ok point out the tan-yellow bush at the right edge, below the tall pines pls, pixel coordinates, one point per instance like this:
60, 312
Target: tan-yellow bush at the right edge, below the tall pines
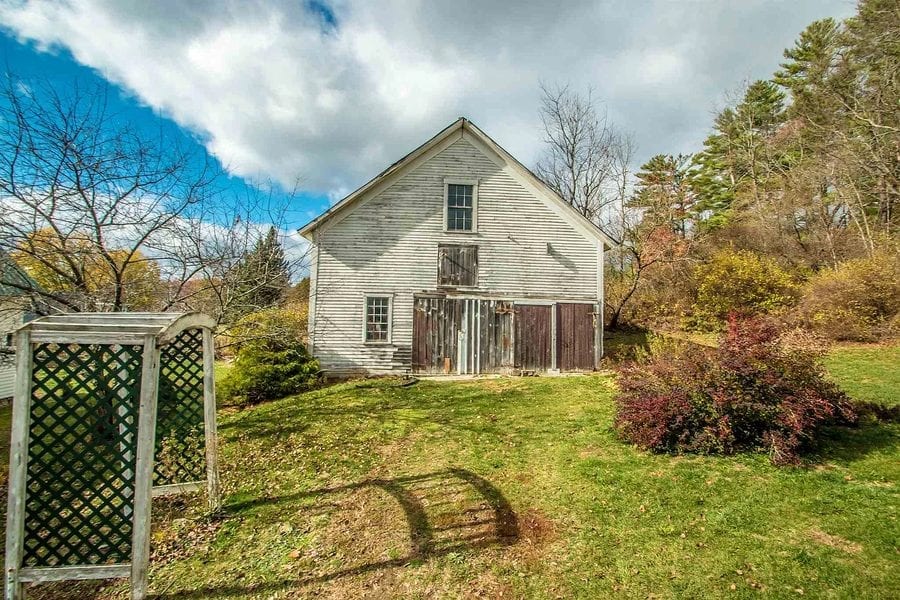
859, 300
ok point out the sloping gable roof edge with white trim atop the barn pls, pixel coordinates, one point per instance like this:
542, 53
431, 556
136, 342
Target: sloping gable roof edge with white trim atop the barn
459, 128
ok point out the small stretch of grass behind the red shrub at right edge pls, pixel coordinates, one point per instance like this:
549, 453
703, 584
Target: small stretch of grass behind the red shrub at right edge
870, 373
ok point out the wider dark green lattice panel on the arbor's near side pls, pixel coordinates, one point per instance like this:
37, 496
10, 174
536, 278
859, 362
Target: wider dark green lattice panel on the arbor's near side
80, 476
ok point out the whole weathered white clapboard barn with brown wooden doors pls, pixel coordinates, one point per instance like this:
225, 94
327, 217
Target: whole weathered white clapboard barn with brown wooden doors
455, 259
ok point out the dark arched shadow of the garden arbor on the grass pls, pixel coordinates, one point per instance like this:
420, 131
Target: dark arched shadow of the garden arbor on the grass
474, 515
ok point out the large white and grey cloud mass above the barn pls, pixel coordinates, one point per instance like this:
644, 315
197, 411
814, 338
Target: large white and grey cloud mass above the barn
331, 92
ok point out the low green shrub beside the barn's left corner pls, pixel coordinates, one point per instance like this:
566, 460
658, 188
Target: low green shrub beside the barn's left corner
271, 361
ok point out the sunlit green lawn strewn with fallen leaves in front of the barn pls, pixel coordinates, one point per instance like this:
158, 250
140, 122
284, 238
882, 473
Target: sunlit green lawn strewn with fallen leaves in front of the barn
518, 488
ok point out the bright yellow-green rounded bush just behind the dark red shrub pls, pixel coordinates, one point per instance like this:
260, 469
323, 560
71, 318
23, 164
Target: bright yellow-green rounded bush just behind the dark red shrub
742, 282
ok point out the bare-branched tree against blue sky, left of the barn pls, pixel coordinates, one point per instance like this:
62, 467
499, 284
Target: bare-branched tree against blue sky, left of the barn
97, 211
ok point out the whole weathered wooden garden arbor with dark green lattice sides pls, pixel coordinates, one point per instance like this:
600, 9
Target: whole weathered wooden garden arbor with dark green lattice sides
92, 392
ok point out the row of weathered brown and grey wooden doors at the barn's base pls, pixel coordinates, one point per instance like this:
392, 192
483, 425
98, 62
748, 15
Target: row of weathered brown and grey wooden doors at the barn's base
471, 335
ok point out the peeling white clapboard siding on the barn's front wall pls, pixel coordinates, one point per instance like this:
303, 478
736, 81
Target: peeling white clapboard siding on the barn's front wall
389, 245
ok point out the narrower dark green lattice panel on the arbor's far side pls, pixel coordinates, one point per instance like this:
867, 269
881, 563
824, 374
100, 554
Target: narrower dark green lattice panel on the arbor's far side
180, 456
